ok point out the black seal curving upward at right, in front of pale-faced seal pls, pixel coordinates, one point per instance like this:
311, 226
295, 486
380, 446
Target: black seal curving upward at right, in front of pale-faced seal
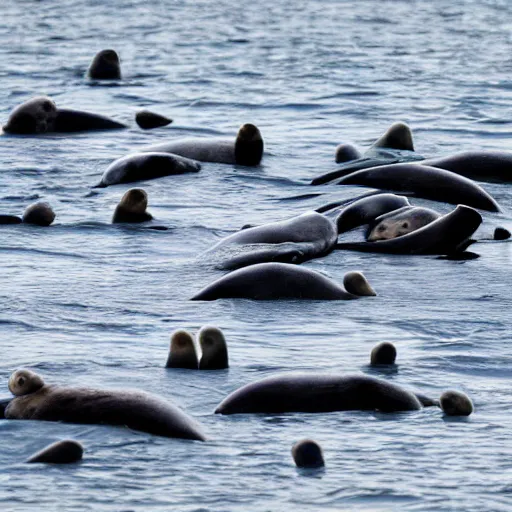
447, 235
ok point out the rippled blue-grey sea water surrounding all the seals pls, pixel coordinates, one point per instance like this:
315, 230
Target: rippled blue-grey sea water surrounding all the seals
90, 304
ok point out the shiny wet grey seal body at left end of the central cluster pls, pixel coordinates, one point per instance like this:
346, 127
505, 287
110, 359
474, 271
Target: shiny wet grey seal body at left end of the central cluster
294, 240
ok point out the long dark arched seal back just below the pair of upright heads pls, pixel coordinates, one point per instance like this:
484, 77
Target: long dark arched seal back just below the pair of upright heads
311, 392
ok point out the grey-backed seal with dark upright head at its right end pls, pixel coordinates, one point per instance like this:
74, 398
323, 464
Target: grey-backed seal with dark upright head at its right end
247, 149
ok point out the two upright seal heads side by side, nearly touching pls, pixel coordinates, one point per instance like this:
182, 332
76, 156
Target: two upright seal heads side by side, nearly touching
184, 350
